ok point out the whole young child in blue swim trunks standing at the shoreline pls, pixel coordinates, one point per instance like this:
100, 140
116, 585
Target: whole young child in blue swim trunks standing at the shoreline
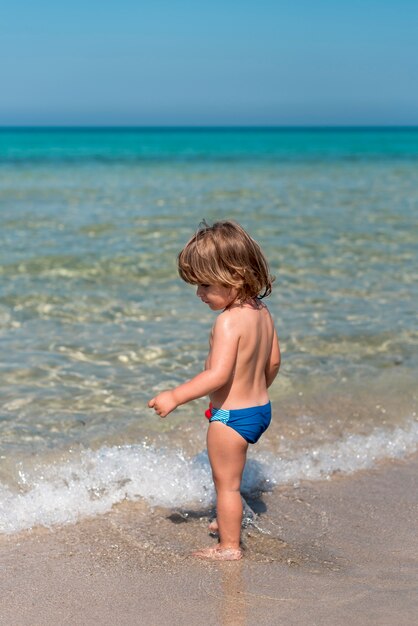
232, 276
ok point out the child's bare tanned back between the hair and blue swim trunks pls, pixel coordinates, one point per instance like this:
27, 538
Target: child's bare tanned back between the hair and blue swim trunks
256, 349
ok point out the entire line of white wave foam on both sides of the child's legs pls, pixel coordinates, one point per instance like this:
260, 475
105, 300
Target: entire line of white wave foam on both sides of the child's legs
91, 482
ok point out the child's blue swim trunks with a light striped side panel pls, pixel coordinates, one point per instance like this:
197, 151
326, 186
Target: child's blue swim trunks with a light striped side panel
249, 423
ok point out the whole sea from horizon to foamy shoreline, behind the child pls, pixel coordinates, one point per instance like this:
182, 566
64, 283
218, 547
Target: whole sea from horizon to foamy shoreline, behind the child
94, 319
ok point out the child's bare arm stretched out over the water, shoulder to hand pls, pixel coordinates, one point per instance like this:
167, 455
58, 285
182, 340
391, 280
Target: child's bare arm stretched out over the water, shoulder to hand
225, 340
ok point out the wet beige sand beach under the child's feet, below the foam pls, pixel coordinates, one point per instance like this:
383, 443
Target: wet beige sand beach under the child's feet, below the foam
339, 552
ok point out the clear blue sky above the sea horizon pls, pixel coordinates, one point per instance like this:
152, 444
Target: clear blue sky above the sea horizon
190, 63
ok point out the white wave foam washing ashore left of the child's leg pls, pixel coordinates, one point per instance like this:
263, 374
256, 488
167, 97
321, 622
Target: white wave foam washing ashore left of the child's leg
91, 483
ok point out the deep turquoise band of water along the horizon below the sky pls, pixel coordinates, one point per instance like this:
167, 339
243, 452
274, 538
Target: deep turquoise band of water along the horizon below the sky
233, 144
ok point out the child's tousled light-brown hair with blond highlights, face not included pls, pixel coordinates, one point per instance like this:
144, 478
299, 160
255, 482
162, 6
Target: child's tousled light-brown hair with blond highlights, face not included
224, 254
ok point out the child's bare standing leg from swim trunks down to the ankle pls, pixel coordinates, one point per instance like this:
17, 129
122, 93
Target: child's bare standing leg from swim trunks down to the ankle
227, 455
